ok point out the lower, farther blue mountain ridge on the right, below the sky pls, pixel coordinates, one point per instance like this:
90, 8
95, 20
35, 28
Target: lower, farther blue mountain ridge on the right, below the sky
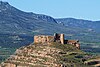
80, 23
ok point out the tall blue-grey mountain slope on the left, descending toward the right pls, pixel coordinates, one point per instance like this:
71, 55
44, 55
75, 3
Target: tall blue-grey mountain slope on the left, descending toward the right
14, 21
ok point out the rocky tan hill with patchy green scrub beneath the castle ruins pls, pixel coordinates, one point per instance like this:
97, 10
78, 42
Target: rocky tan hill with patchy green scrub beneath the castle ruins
55, 55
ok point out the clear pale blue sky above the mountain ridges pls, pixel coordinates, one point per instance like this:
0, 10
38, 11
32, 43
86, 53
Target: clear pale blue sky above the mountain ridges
80, 9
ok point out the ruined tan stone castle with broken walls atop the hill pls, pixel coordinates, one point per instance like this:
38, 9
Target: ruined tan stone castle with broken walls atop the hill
56, 38
